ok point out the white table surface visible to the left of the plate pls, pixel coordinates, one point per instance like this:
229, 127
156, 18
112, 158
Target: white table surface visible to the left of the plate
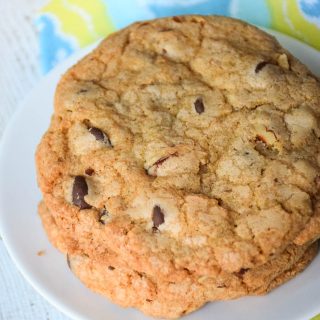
19, 73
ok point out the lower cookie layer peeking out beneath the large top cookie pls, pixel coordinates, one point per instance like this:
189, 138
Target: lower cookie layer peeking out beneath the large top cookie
159, 298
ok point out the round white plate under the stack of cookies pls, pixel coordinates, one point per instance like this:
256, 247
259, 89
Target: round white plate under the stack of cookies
24, 237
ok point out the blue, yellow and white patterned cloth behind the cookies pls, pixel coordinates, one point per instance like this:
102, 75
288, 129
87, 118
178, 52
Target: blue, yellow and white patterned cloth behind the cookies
66, 25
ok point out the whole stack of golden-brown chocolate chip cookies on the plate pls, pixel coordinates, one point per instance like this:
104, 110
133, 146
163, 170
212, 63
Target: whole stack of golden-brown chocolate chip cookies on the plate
181, 165
